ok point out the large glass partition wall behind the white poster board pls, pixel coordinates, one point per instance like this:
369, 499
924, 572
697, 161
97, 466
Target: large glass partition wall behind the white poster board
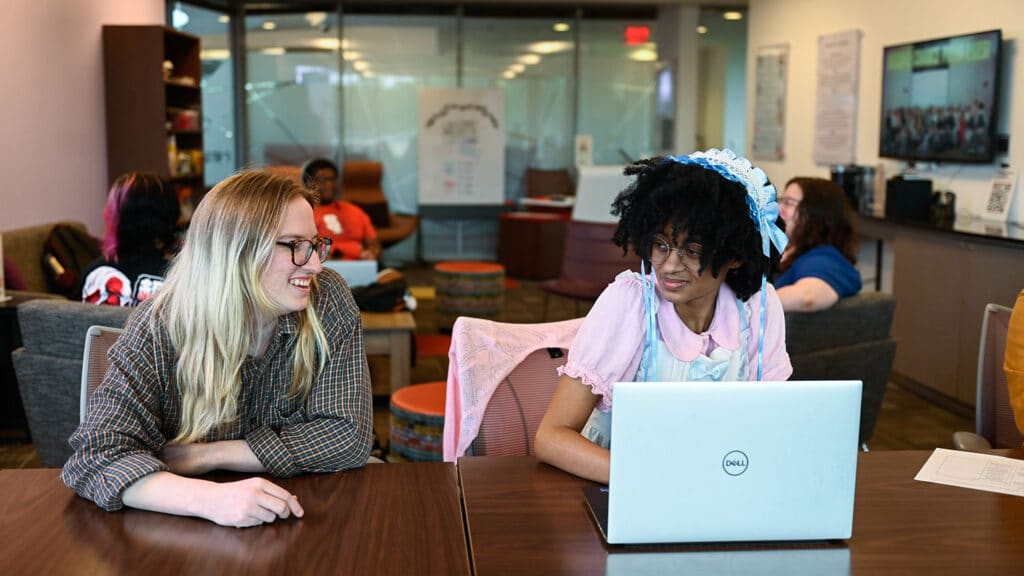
343, 83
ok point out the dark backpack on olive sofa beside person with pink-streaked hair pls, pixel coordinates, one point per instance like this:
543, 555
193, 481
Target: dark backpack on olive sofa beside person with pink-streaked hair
67, 253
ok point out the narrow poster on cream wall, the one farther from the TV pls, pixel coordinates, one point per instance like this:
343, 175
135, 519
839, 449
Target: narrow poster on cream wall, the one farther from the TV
770, 103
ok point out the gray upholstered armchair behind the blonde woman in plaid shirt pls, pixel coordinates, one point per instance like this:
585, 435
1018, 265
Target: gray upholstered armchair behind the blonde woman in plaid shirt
49, 367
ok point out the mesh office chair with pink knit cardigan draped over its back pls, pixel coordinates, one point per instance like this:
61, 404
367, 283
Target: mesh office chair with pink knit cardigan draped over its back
501, 379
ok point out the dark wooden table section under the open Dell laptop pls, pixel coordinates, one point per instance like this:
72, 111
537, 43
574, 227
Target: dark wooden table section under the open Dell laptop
528, 518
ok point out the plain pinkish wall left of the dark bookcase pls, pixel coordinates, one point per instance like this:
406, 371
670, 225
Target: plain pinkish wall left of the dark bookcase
52, 107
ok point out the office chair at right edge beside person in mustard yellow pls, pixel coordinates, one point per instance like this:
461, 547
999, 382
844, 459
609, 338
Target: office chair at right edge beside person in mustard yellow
995, 425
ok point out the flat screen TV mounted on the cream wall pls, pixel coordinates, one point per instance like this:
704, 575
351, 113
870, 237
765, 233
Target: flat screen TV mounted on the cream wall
940, 99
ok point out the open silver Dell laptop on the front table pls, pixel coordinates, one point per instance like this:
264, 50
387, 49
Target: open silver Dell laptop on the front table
731, 463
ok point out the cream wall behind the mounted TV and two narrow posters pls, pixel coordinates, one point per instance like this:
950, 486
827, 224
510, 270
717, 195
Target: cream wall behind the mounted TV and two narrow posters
799, 23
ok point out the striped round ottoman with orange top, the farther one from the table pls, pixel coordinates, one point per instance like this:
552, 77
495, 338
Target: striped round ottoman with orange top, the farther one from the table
468, 289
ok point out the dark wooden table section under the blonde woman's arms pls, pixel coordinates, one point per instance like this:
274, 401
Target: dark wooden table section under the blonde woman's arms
386, 519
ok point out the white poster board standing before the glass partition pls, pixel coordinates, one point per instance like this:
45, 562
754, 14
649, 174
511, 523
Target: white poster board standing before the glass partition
462, 147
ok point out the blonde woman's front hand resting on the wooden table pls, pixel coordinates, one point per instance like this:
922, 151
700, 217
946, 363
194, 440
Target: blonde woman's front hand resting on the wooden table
247, 503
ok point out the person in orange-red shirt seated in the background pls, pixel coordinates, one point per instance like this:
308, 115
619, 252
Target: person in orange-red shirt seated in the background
346, 224
